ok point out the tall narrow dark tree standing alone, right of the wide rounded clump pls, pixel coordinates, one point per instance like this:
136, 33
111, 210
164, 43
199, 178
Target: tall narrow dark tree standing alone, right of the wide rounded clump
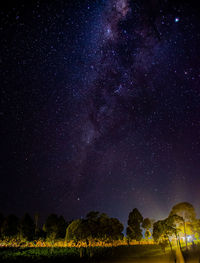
134, 221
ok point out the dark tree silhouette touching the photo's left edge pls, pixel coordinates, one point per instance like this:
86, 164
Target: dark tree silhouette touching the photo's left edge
10, 226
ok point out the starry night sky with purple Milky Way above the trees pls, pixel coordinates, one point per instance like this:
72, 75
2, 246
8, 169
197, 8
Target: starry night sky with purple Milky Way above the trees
100, 106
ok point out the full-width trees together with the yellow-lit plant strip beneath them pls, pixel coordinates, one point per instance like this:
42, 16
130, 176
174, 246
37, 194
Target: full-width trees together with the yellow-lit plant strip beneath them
98, 233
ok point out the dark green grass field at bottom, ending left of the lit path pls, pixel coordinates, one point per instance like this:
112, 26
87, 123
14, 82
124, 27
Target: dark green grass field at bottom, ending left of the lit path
138, 253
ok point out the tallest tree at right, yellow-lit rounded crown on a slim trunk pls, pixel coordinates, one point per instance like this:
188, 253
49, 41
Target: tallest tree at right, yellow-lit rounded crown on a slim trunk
187, 212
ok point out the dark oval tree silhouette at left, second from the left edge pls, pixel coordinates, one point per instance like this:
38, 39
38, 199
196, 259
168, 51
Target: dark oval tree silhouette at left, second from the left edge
26, 227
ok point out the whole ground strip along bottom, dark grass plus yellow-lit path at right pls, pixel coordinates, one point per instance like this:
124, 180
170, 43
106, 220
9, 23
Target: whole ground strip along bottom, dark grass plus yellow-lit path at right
125, 254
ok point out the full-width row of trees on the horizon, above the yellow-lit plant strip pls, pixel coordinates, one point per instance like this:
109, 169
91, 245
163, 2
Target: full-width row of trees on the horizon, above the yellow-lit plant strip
180, 226
